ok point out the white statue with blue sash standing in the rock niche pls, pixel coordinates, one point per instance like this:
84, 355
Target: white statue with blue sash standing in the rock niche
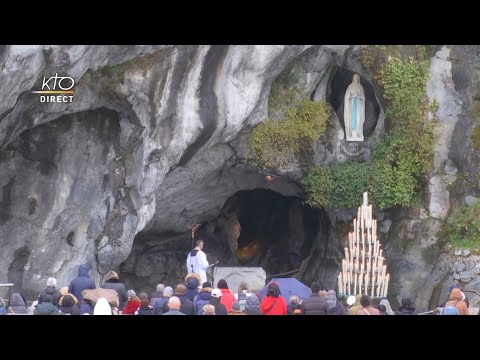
354, 110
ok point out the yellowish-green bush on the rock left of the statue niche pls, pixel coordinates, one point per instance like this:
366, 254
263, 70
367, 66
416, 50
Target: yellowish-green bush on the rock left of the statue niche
275, 143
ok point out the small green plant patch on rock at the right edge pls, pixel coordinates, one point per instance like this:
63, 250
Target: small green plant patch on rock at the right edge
464, 229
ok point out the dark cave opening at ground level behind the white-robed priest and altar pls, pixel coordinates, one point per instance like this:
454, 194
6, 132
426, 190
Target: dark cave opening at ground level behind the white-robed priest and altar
254, 228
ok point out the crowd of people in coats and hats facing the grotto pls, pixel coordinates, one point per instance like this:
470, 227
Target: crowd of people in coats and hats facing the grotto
191, 297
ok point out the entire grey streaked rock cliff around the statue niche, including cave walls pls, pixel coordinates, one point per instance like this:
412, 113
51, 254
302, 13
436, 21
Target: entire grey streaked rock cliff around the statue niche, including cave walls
155, 141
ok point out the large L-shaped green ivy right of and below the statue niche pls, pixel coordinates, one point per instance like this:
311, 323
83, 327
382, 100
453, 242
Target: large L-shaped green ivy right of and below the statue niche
402, 157
